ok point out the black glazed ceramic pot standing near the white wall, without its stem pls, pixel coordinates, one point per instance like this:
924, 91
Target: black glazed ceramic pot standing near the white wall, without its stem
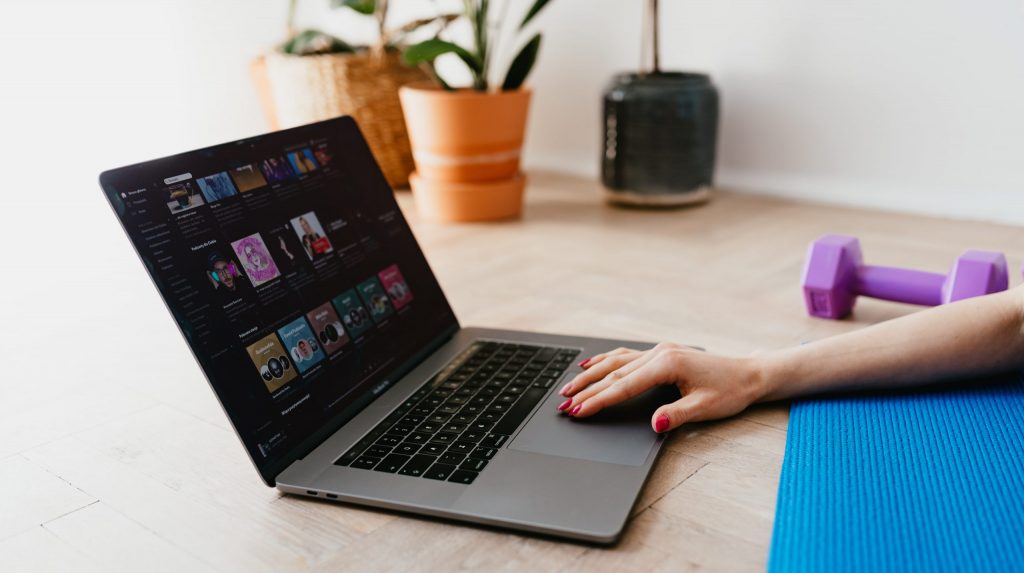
660, 136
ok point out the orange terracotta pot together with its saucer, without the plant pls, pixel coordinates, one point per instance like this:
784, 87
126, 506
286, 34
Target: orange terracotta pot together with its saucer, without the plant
466, 146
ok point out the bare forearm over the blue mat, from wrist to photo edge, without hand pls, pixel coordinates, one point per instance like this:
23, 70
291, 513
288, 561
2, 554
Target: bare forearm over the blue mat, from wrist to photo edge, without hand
969, 338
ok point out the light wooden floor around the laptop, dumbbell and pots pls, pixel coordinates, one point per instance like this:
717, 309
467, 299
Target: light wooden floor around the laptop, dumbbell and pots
115, 456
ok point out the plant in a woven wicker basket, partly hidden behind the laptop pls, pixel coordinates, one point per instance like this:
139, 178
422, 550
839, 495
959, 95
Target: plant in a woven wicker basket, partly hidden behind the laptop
314, 76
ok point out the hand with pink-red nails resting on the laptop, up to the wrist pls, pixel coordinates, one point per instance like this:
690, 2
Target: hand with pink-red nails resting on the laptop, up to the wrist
712, 386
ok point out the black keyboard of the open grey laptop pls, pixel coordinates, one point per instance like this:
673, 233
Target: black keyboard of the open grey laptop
455, 423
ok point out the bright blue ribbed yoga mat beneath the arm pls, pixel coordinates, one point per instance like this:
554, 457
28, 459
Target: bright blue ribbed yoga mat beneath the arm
930, 480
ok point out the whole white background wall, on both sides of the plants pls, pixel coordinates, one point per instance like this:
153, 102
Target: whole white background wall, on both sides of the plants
912, 105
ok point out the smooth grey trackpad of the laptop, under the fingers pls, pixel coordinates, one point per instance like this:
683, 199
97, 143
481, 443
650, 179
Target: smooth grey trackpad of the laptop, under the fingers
621, 434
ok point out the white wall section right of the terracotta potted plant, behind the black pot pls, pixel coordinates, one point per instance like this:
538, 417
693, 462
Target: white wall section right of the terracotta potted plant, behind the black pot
907, 105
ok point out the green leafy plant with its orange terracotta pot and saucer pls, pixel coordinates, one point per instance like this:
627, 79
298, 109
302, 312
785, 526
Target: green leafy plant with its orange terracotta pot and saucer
467, 142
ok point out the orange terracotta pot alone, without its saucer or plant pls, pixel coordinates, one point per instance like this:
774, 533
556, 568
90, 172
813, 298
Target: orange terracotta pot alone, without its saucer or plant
465, 136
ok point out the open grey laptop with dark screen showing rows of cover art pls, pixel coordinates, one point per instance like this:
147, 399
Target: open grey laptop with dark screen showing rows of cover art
310, 306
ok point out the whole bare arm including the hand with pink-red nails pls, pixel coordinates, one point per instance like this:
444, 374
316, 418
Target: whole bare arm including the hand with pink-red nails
969, 338
